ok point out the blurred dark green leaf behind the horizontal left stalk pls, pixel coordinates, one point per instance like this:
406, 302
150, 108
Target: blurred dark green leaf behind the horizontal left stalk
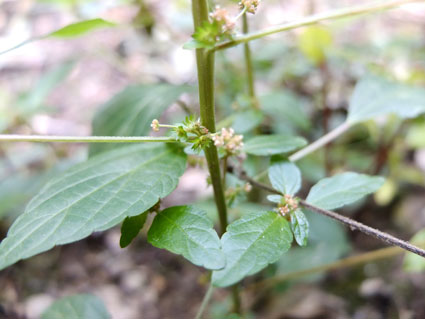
130, 112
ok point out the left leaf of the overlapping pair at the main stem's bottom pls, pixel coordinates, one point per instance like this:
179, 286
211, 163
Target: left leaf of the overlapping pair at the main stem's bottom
187, 231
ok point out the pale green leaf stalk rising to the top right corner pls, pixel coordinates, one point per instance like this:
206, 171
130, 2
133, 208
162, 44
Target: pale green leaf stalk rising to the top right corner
335, 14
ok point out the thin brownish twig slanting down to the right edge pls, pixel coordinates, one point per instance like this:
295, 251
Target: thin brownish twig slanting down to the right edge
354, 225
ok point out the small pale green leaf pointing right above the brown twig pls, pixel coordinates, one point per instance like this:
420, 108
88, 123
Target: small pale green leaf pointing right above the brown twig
343, 189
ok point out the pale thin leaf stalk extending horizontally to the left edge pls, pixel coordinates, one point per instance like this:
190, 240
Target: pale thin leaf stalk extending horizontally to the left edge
85, 139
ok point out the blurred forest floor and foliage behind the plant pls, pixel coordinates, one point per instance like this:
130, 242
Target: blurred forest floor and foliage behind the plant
304, 79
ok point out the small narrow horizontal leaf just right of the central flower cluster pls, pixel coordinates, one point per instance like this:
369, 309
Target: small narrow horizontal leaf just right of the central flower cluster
267, 145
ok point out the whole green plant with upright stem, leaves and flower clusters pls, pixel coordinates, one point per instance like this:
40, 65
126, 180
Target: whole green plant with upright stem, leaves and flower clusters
125, 184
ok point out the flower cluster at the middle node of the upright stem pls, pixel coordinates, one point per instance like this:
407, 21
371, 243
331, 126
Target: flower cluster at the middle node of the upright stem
191, 131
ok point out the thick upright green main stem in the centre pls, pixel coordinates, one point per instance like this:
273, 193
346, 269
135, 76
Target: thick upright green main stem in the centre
205, 64
